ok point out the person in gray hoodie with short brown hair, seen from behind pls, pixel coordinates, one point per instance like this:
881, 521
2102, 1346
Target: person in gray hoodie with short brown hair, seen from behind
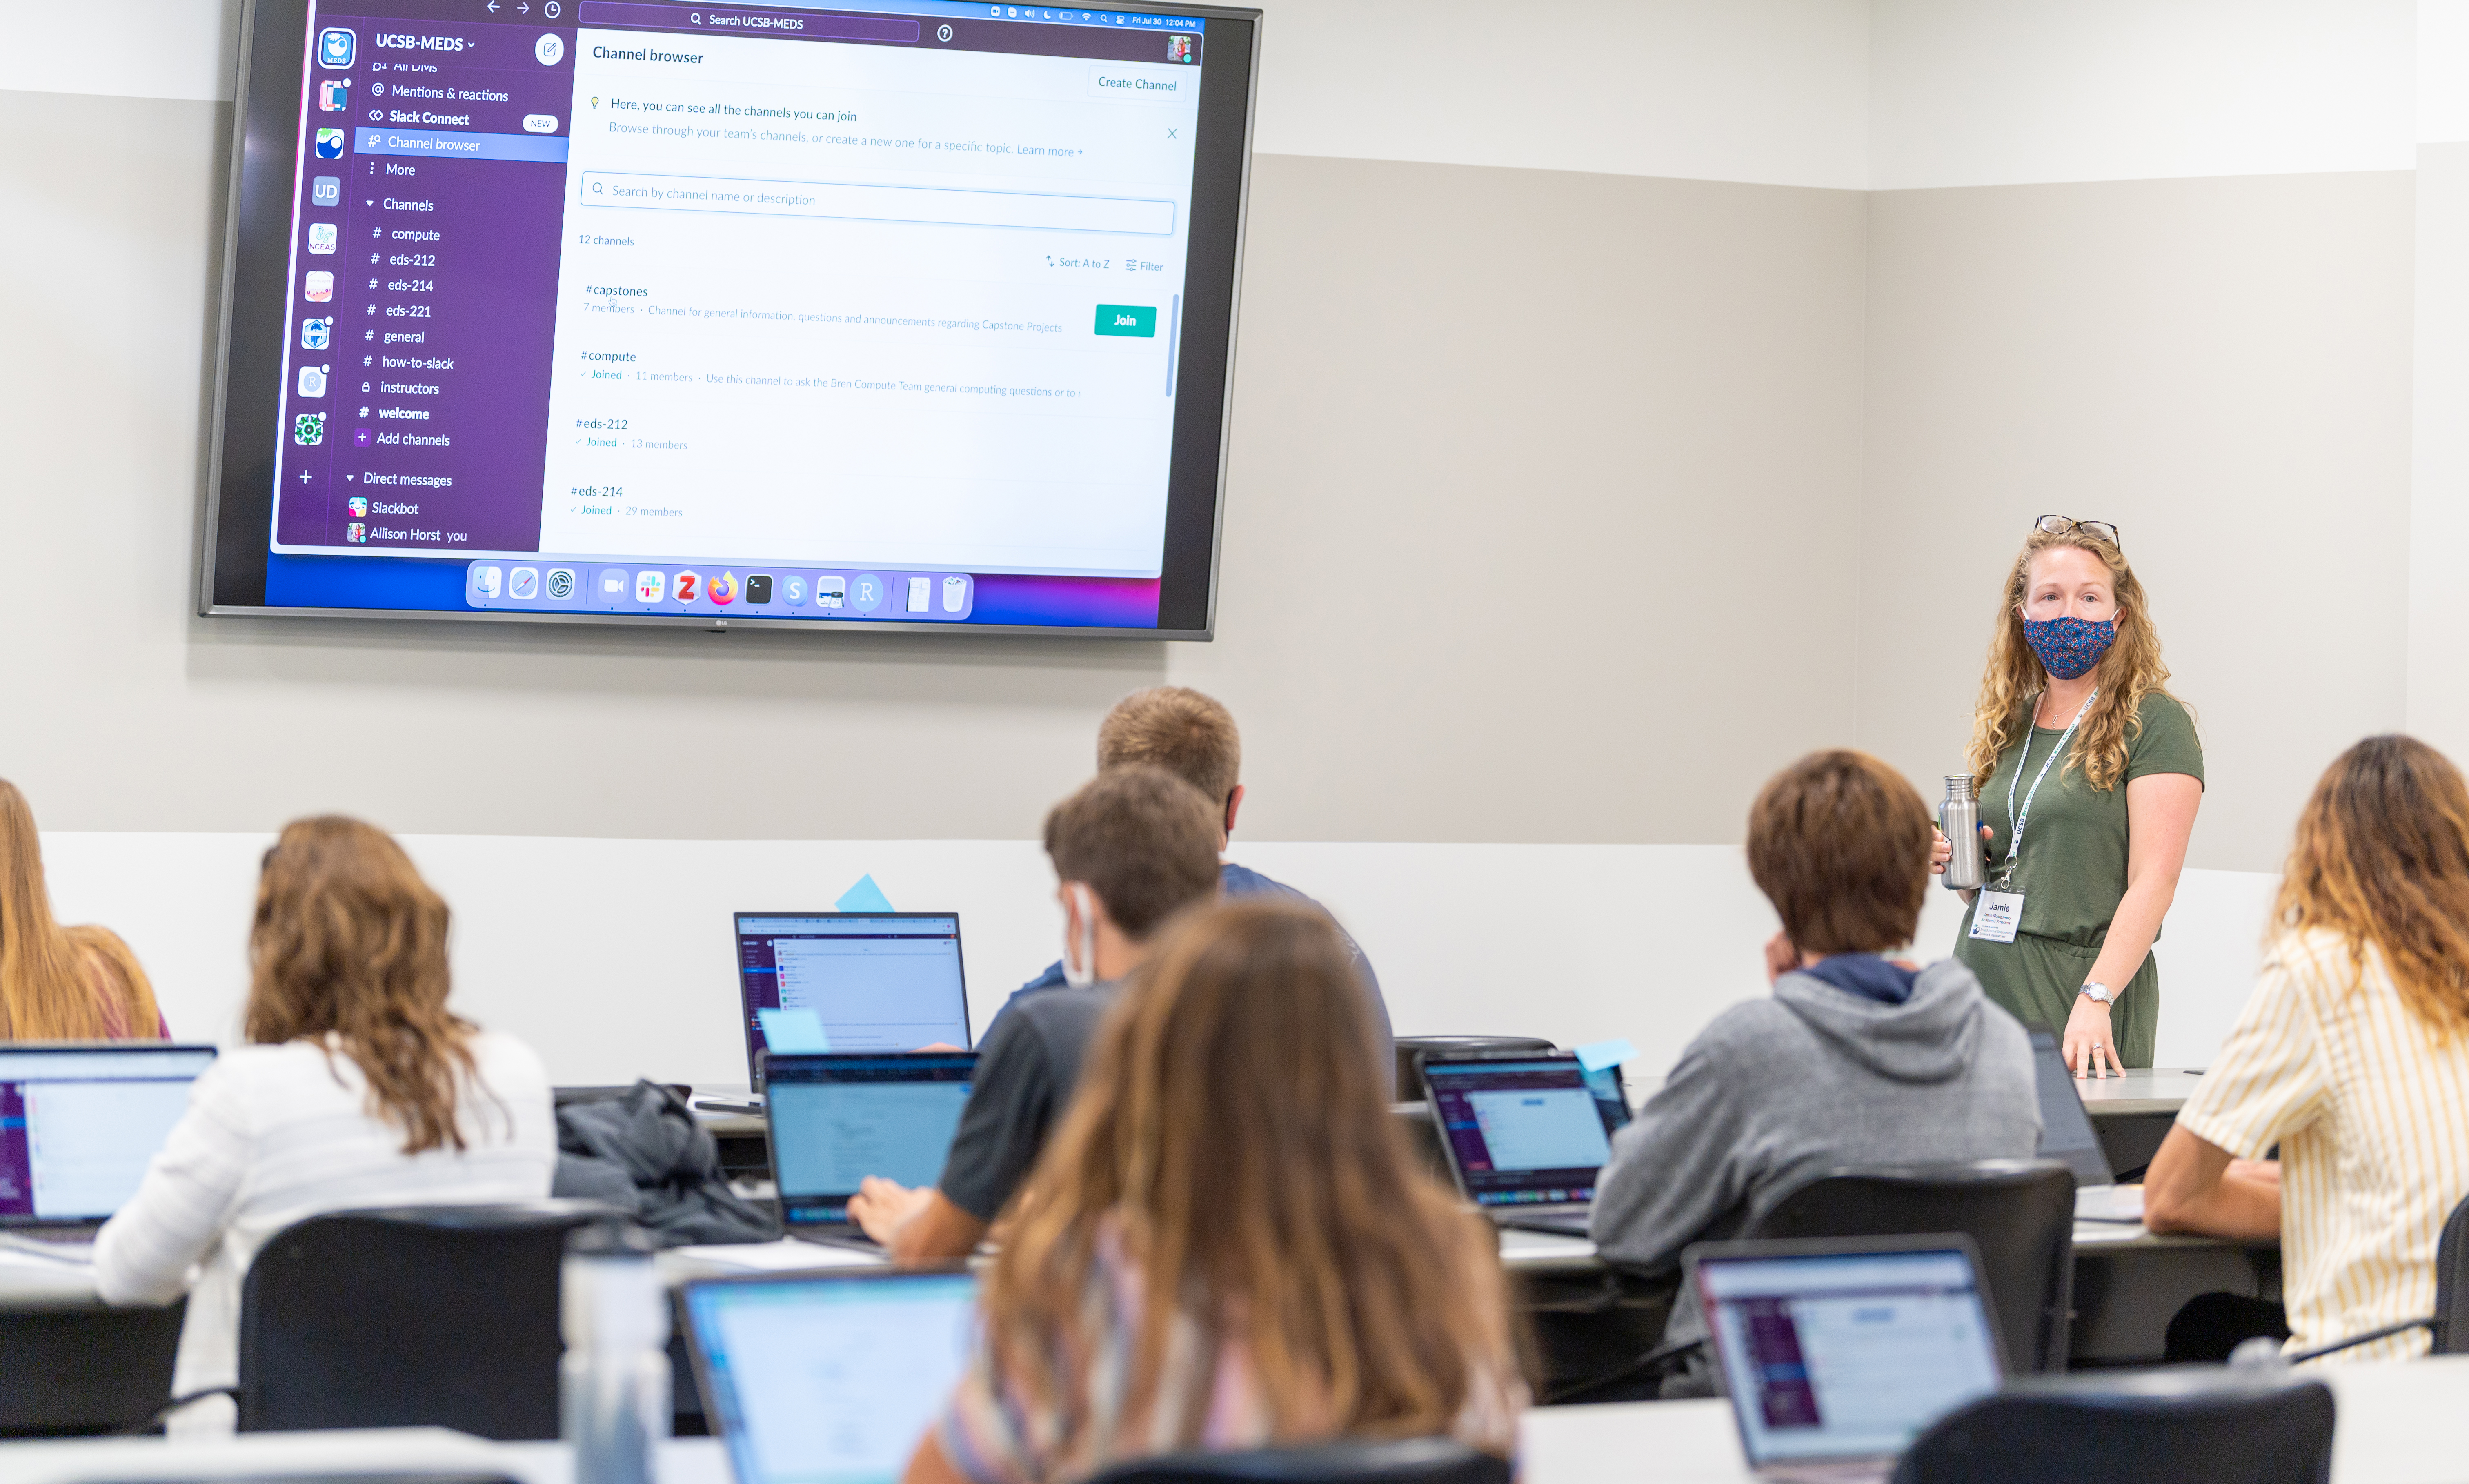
1855, 1061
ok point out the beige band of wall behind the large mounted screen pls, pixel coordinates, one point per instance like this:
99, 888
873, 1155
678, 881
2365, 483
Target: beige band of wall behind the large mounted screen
1475, 414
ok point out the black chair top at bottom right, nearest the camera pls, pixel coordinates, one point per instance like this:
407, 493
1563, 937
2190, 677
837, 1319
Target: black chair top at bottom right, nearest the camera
2189, 1426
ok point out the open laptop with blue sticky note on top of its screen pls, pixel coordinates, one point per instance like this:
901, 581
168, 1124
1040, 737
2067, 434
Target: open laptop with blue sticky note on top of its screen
878, 982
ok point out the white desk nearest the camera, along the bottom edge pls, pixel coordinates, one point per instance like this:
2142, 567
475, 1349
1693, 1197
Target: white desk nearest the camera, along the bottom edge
2396, 1426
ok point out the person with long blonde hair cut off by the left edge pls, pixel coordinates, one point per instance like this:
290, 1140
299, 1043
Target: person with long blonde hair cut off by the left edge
60, 984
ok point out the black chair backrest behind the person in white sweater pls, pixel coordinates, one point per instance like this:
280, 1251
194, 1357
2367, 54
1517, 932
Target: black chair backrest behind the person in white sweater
411, 1317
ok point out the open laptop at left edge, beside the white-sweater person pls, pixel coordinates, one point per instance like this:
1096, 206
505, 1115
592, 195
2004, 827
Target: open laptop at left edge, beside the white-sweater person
80, 1125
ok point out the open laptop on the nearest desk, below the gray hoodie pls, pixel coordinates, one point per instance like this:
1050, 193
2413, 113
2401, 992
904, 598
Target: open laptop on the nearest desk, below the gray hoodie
1838, 1352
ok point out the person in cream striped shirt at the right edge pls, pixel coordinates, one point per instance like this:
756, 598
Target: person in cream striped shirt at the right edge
2352, 1056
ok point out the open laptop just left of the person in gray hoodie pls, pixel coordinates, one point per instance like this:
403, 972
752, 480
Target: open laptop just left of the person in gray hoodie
1527, 1135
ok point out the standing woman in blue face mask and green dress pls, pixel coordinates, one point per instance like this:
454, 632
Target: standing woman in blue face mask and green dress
2090, 777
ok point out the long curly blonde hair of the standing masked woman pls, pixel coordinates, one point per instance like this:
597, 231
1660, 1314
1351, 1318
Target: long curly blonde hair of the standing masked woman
2016, 678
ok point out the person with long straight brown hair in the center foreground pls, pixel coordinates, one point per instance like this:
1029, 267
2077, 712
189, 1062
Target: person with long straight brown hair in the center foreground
1231, 1152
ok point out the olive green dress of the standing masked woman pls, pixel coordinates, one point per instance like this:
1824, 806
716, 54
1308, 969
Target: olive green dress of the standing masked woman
2073, 875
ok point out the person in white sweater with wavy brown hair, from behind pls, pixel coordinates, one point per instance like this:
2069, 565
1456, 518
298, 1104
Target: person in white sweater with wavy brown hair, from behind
359, 1088
